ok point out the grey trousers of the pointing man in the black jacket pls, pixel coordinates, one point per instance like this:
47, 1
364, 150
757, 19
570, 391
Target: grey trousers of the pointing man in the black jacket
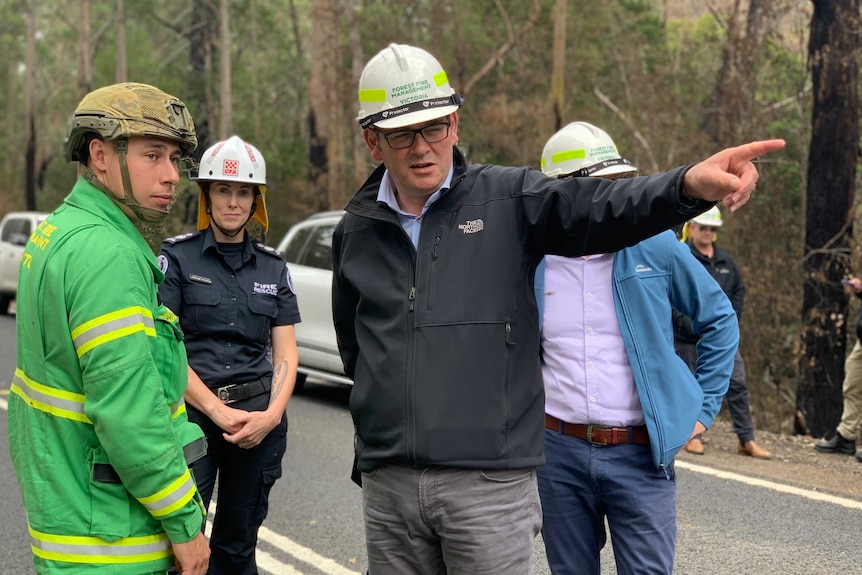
445, 521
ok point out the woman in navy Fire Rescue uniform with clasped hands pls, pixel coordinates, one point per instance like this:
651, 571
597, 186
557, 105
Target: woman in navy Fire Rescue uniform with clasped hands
235, 302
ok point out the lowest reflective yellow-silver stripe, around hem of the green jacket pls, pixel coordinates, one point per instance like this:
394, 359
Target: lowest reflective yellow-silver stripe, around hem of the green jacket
77, 549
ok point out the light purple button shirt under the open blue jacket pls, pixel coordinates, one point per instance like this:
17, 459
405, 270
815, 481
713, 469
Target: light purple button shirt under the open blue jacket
588, 377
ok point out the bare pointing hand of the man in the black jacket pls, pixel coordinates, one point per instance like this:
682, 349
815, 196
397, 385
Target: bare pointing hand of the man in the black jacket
728, 176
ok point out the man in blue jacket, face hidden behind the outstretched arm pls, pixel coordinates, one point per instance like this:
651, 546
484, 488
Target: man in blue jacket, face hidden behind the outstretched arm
619, 403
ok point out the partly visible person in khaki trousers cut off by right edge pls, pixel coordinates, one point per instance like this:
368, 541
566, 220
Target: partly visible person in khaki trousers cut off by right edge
844, 440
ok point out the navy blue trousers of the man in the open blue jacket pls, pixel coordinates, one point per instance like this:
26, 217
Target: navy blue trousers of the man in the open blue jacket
581, 485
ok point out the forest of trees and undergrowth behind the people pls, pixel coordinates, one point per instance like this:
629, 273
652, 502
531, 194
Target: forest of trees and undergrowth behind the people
672, 81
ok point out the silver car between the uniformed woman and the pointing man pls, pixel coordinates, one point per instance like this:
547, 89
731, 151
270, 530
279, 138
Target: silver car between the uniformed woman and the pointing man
307, 246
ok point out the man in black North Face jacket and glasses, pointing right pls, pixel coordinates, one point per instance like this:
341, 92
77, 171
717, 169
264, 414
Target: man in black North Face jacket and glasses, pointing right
437, 323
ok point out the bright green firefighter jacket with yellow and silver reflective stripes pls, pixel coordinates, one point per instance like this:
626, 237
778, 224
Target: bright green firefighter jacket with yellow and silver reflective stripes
97, 424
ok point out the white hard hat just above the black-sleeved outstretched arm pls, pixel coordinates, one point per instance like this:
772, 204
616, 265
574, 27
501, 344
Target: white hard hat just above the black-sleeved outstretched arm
581, 149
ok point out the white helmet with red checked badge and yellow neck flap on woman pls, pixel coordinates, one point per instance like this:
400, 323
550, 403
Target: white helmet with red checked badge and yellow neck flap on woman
233, 160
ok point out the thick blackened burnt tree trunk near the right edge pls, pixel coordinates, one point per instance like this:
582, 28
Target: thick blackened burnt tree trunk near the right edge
832, 158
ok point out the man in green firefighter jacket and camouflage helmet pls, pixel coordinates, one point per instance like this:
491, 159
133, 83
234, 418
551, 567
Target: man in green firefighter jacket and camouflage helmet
98, 431
